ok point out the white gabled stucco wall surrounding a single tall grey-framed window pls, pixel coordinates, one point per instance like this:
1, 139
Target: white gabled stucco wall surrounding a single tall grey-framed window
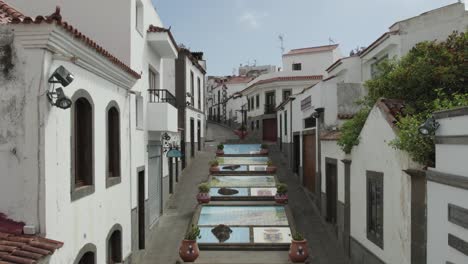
374, 154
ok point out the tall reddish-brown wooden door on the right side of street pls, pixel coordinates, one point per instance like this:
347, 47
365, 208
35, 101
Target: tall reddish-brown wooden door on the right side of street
309, 153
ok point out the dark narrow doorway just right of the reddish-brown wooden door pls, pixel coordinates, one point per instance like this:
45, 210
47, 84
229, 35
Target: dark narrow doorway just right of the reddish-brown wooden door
331, 182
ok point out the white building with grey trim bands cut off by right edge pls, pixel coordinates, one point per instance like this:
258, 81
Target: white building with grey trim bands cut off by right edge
447, 190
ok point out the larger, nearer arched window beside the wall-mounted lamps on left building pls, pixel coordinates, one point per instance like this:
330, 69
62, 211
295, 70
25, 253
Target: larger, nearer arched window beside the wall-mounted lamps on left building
82, 145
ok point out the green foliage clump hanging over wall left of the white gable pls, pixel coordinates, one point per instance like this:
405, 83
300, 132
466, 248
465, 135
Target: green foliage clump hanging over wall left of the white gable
351, 130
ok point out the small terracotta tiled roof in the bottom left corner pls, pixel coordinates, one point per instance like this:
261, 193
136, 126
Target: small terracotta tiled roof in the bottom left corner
16, 247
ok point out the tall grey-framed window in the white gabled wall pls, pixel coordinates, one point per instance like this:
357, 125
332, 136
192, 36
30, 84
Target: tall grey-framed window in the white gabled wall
375, 207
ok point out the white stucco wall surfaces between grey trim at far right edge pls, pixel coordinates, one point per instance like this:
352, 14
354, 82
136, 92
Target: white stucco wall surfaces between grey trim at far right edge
450, 158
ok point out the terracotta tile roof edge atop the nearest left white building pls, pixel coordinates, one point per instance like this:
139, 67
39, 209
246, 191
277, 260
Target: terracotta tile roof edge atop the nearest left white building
10, 15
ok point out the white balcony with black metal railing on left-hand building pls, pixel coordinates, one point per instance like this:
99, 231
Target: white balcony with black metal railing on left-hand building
162, 111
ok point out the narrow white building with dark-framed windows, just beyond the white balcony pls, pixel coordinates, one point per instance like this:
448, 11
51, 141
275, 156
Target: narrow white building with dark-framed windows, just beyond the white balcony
190, 93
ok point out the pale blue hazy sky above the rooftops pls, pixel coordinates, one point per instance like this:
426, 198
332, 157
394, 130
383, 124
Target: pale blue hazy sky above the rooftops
234, 32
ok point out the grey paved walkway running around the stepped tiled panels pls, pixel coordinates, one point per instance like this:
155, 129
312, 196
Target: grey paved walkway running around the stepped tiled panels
165, 238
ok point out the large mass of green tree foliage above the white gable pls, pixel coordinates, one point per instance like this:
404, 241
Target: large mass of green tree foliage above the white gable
432, 76
